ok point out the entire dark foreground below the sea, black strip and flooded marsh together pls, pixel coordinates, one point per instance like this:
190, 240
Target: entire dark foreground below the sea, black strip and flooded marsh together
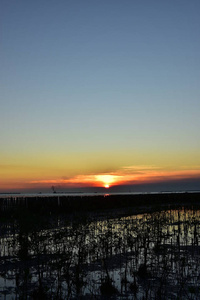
114, 247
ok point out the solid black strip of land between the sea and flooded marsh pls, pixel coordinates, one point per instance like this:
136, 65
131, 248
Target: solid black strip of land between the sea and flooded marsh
106, 203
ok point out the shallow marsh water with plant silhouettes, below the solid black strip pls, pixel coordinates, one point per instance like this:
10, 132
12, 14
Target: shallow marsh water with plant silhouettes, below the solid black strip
151, 256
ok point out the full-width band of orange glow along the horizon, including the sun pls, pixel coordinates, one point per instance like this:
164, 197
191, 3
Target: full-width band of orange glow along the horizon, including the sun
131, 175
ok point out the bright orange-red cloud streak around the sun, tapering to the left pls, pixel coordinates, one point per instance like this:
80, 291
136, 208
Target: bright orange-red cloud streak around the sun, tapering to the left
127, 175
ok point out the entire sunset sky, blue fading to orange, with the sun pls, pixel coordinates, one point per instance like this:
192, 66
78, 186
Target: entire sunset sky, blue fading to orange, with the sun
99, 93
